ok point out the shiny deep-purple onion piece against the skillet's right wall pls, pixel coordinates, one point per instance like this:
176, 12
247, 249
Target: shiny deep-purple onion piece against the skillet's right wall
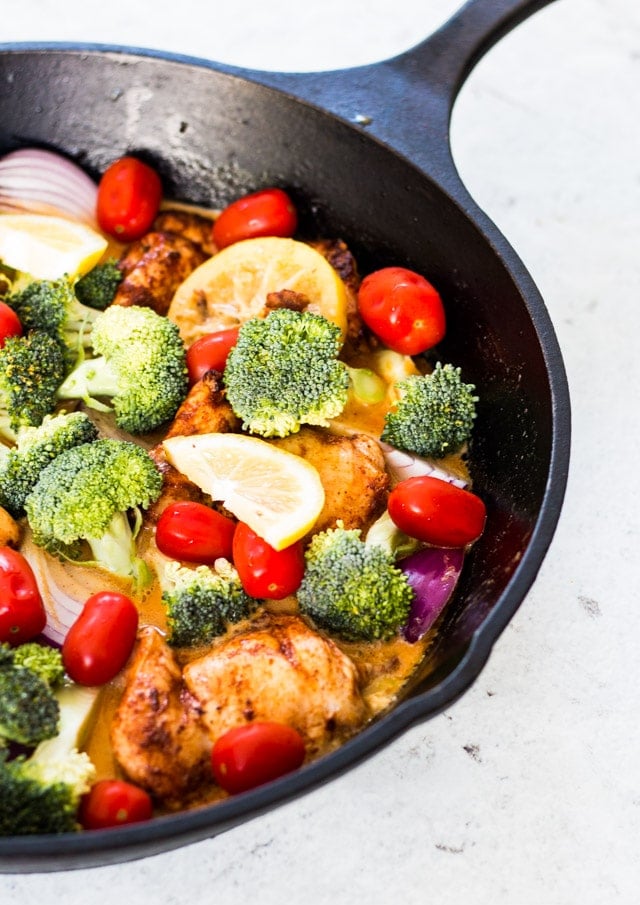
433, 574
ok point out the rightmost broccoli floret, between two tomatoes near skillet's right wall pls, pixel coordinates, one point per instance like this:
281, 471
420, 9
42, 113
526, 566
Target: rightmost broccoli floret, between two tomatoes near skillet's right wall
434, 414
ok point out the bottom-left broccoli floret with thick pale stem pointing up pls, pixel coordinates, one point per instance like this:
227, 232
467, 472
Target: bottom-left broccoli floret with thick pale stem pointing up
41, 793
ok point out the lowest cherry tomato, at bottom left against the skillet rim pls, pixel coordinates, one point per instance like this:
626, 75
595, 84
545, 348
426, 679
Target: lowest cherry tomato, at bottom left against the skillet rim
113, 802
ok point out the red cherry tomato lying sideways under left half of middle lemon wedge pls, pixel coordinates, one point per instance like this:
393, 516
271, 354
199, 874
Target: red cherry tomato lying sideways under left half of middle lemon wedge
193, 532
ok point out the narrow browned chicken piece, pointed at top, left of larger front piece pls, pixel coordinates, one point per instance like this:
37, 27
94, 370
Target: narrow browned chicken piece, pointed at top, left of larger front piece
157, 733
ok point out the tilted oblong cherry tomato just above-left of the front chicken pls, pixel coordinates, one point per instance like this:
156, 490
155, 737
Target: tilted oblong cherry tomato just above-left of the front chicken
99, 642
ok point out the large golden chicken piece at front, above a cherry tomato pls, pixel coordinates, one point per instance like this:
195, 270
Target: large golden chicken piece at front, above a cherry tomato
283, 671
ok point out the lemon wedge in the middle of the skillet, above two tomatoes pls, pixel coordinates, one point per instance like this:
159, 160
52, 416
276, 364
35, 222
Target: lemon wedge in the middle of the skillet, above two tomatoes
278, 494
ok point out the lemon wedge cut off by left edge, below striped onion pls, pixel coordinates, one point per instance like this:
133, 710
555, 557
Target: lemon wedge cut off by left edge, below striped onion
47, 247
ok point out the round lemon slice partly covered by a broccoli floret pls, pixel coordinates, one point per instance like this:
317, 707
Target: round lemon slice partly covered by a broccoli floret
233, 285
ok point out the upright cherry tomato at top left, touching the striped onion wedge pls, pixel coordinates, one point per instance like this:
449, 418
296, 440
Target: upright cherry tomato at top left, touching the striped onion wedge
129, 196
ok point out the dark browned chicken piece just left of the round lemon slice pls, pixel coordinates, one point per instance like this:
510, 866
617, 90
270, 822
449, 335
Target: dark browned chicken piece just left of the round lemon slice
153, 268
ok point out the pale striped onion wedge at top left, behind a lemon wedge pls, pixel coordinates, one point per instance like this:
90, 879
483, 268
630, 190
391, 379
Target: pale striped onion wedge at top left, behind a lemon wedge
33, 180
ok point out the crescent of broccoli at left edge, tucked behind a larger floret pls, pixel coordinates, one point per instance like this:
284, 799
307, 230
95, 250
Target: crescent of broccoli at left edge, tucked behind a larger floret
35, 448
